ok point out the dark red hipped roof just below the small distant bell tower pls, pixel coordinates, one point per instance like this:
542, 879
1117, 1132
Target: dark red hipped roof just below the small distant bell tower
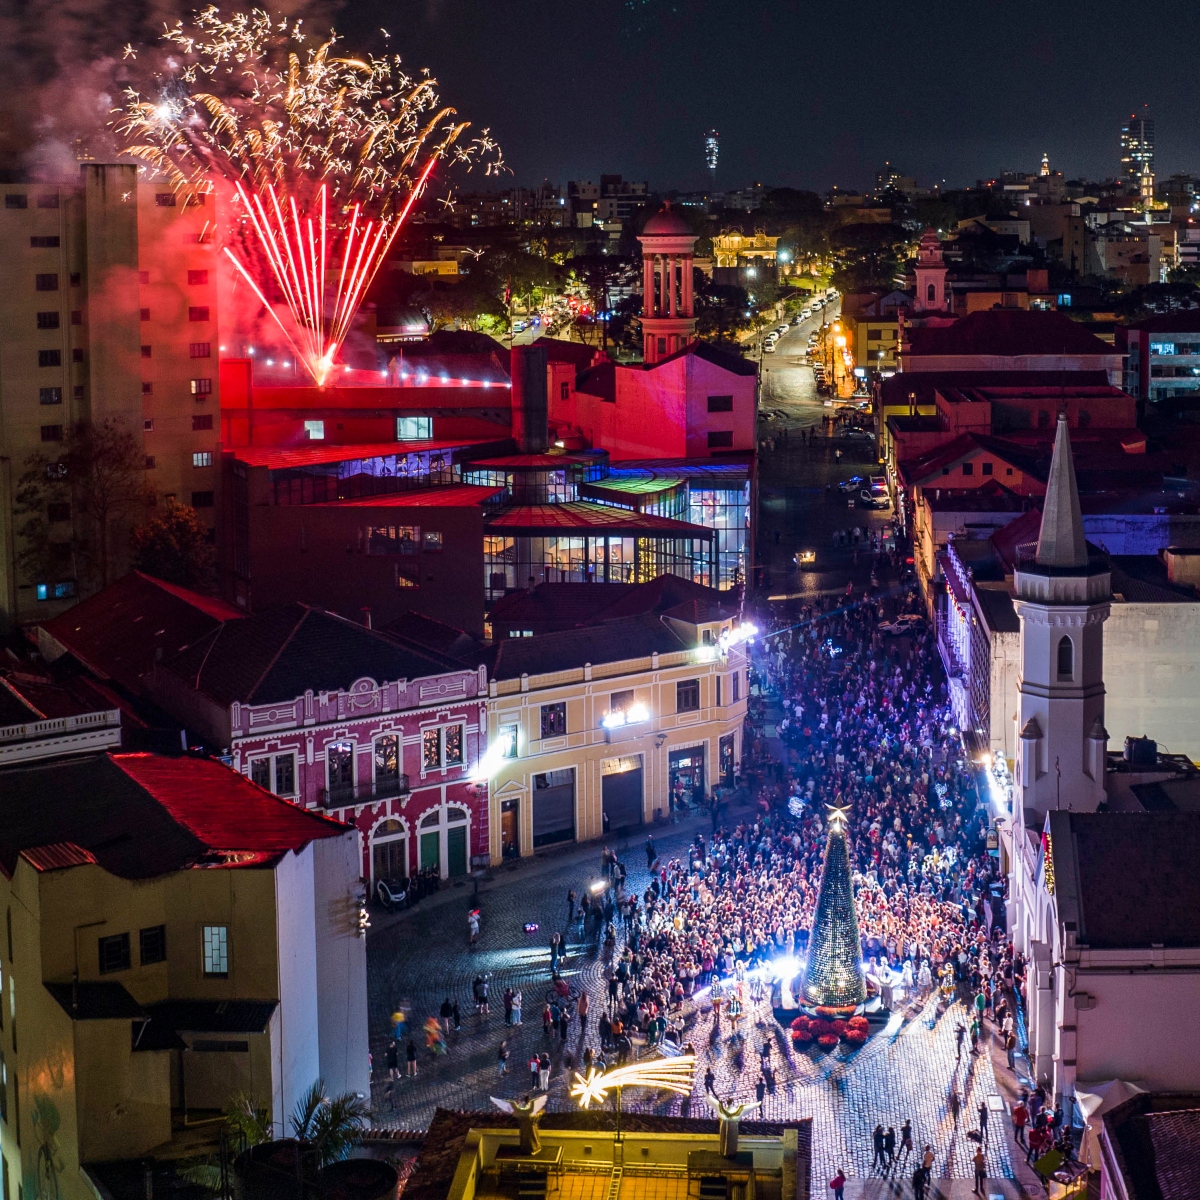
1007, 333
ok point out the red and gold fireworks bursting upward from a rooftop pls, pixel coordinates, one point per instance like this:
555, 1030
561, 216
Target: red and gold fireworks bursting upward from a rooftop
326, 155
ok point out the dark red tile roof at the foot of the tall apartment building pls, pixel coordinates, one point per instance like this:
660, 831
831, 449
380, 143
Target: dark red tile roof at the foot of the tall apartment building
121, 633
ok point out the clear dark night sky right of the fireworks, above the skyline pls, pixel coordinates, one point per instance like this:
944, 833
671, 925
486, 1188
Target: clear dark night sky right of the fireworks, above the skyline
805, 95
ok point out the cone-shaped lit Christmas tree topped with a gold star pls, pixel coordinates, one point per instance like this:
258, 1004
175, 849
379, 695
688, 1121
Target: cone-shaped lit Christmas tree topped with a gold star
833, 977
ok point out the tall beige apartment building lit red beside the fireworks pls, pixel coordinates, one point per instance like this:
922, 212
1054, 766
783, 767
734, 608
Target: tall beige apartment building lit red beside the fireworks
109, 305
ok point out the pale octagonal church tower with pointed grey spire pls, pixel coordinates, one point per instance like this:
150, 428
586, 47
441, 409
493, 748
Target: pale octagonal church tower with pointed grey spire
1063, 602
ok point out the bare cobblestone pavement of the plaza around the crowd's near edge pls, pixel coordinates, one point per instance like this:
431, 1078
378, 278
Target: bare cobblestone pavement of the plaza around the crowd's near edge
417, 961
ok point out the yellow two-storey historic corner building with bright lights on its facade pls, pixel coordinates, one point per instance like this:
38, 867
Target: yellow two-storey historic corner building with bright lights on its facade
611, 727
